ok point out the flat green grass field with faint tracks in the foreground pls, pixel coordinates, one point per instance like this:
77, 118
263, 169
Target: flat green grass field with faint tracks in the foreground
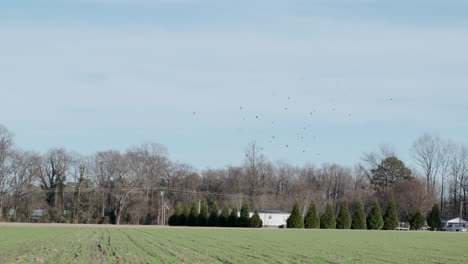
186, 245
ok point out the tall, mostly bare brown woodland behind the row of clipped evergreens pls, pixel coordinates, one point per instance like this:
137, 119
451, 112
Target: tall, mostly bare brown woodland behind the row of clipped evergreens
142, 185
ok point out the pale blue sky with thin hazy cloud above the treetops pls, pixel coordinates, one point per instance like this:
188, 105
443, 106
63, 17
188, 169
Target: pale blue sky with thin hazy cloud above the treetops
309, 81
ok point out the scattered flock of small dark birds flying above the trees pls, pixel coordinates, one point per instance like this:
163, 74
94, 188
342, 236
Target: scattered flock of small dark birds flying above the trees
303, 134
